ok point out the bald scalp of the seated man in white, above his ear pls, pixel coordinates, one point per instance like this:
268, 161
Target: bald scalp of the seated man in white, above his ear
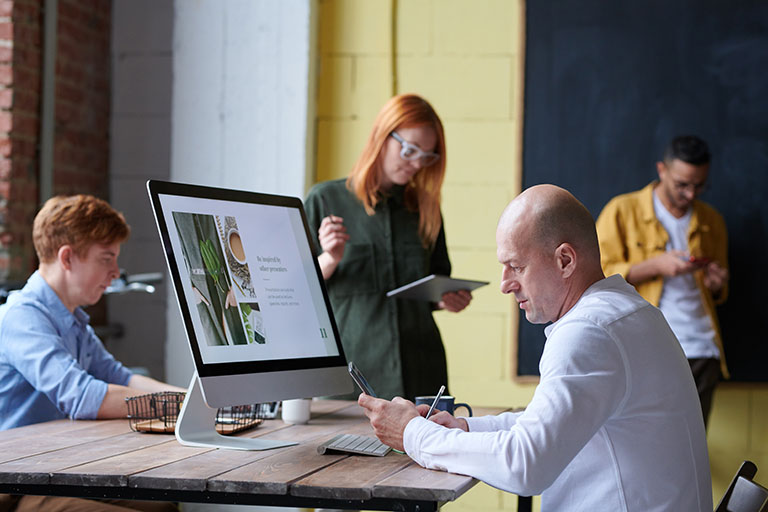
549, 216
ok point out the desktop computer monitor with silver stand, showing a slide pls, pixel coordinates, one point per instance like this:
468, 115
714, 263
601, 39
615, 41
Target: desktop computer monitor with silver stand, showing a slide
253, 301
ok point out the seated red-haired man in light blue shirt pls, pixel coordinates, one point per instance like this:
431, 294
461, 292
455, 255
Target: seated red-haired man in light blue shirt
52, 365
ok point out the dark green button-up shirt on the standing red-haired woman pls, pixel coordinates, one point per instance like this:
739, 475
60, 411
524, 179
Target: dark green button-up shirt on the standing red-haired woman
394, 342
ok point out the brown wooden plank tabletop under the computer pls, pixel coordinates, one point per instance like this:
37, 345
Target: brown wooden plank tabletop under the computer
106, 459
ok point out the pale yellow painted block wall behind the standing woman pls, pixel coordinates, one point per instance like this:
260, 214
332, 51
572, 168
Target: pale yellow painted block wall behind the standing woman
466, 58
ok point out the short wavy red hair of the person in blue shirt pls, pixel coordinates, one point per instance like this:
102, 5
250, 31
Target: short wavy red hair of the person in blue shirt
79, 221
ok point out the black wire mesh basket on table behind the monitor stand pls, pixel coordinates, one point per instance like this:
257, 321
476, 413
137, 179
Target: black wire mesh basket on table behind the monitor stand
158, 412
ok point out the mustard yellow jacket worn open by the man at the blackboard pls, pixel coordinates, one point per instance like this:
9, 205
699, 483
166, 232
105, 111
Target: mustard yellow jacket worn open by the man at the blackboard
629, 233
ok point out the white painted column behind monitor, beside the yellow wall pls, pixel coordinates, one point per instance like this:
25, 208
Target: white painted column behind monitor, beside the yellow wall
242, 107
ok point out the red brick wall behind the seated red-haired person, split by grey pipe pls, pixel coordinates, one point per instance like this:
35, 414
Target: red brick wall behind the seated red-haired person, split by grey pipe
81, 115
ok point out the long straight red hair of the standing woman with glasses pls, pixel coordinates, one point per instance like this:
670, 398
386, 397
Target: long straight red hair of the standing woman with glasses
422, 193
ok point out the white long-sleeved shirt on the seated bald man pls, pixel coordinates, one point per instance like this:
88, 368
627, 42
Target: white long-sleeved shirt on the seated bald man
615, 423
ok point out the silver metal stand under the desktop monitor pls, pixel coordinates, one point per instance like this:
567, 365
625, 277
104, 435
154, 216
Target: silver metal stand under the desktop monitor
196, 426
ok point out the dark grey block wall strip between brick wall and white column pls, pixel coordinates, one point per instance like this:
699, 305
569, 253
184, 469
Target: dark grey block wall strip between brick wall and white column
140, 141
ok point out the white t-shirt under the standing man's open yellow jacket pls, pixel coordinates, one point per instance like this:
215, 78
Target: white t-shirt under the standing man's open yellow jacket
681, 300
